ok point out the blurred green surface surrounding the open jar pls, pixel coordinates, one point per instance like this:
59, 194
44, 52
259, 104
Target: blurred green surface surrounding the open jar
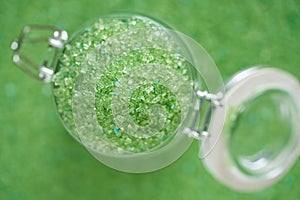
39, 160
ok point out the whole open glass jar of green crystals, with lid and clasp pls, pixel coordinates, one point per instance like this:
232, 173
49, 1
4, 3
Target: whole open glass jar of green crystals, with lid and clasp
136, 93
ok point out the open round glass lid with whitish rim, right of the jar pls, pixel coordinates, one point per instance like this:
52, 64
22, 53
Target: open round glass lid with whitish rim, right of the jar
261, 136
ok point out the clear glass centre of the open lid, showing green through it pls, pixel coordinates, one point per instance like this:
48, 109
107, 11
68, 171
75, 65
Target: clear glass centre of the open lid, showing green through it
261, 129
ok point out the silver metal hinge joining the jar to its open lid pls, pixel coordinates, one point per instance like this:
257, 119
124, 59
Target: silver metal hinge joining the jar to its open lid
215, 101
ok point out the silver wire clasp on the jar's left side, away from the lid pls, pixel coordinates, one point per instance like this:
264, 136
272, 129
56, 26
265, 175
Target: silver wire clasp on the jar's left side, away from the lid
56, 41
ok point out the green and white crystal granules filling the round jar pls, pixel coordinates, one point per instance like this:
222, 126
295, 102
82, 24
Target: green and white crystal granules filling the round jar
121, 85
